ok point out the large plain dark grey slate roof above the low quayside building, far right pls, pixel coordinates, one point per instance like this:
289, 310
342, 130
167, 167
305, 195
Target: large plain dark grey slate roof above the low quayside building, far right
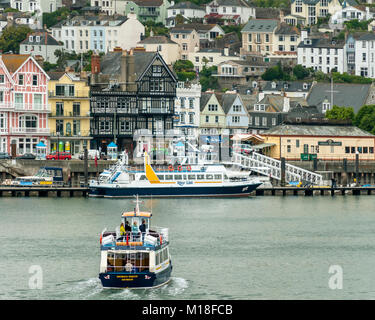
344, 95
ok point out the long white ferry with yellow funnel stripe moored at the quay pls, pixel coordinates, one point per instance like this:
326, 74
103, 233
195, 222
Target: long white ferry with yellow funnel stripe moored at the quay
188, 180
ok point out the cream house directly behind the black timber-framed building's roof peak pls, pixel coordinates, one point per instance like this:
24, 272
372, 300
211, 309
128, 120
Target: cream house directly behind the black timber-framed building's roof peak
168, 49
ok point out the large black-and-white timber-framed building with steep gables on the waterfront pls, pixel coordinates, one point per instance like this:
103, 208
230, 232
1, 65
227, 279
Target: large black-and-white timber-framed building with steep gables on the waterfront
130, 91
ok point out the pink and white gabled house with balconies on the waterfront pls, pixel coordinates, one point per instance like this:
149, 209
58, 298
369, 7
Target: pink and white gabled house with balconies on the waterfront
24, 105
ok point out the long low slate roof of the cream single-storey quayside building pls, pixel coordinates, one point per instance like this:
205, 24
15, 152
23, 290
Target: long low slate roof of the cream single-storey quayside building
317, 130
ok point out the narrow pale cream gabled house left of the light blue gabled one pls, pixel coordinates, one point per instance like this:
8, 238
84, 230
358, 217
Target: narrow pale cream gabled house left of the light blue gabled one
212, 117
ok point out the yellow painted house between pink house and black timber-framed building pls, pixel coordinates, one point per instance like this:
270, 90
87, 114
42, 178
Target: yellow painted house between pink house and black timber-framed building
69, 121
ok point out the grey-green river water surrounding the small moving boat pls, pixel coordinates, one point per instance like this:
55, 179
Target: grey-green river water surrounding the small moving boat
249, 248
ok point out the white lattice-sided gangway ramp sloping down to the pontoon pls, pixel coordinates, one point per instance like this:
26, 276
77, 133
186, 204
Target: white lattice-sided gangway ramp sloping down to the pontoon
272, 168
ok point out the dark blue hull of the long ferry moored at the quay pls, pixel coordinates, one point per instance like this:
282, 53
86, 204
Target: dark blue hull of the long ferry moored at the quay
204, 191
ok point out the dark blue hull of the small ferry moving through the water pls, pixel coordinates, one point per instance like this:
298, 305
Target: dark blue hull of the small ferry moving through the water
135, 280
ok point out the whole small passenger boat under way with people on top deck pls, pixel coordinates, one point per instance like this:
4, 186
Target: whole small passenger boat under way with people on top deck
135, 257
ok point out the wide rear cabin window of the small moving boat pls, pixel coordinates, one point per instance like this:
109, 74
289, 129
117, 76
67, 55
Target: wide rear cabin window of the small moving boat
129, 262
